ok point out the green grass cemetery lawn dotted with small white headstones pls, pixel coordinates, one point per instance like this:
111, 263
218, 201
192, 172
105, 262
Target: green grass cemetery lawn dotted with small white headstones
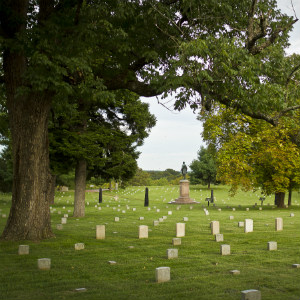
199, 272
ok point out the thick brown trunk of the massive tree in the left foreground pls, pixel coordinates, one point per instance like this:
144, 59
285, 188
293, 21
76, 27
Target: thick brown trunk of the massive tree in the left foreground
29, 217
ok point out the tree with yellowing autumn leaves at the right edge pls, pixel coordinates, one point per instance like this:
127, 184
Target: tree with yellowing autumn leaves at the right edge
253, 154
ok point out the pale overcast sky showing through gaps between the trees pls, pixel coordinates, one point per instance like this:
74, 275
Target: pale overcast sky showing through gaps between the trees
177, 135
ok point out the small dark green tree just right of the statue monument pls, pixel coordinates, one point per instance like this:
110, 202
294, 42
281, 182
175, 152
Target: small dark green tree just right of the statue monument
204, 169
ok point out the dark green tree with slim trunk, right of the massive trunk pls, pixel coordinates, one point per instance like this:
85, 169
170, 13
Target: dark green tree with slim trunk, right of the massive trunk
100, 139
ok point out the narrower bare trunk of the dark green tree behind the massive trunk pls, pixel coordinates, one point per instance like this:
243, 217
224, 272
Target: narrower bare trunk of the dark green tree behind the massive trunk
80, 181
